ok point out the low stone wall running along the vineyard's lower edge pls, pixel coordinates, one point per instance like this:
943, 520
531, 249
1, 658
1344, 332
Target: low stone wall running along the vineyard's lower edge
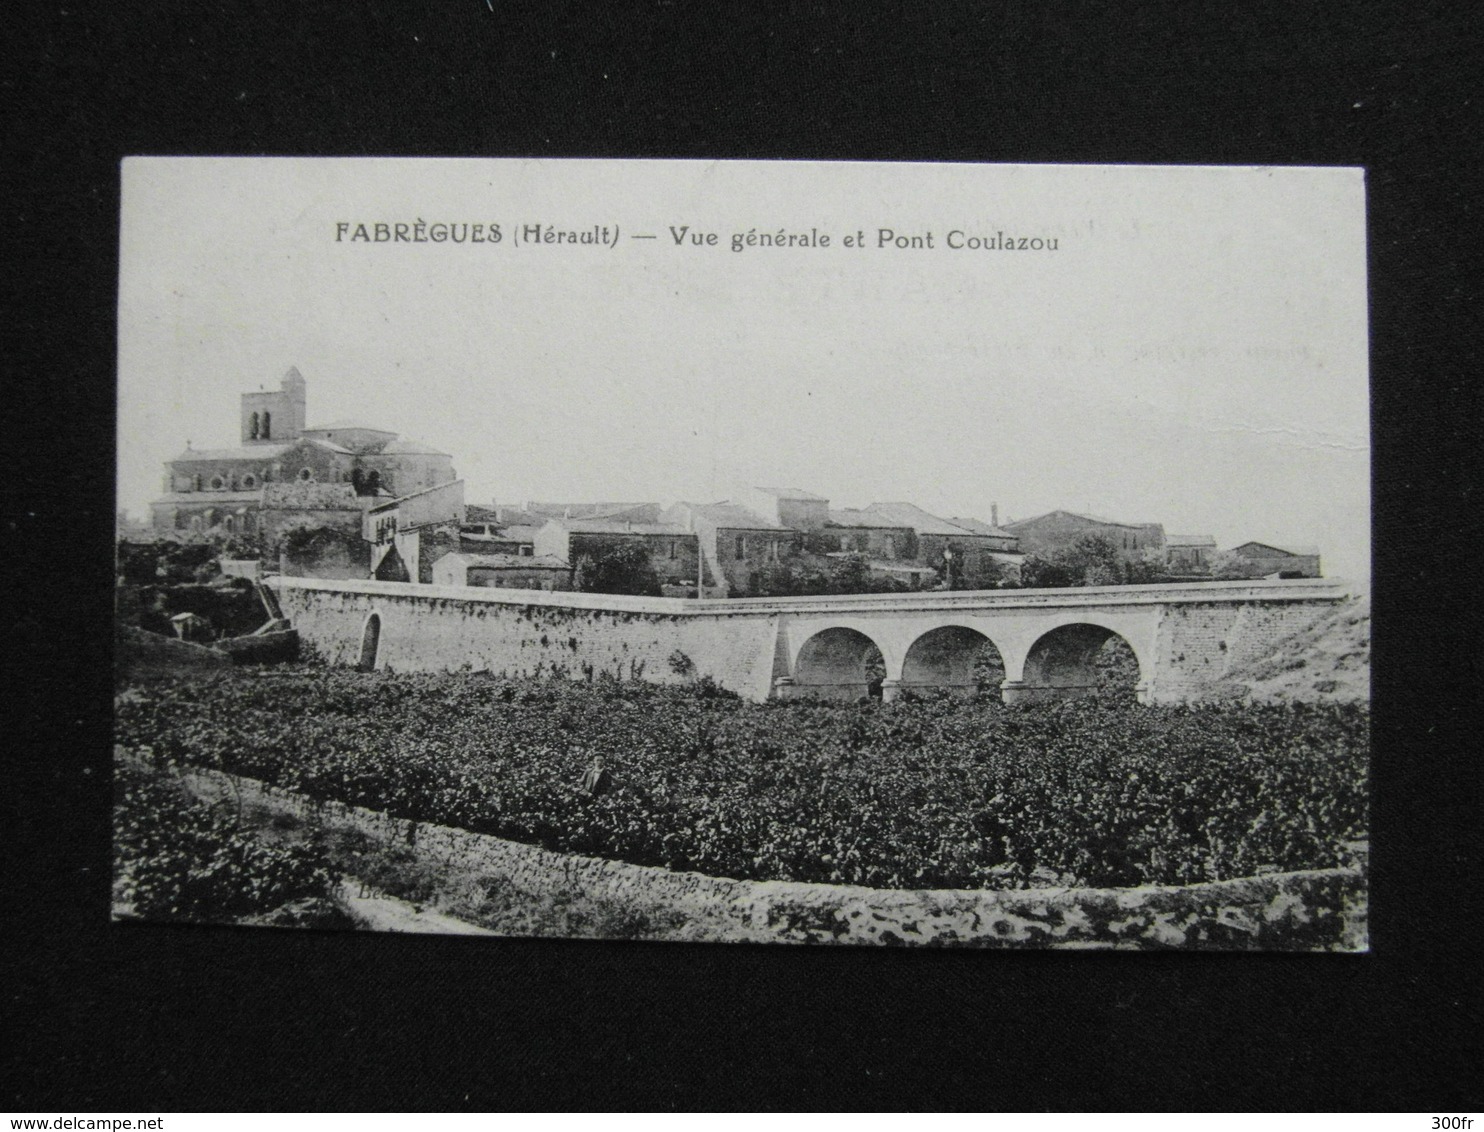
1296, 912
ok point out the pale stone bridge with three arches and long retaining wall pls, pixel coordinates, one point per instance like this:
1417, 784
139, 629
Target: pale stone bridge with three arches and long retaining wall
1183, 637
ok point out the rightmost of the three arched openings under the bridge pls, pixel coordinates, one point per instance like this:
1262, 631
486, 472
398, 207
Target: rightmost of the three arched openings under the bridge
1080, 658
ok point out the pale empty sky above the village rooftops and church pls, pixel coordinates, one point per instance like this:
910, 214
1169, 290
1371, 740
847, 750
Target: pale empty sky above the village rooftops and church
1194, 352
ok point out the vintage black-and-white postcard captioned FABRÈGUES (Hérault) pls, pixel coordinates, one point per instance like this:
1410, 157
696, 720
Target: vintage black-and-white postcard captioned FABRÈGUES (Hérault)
746, 551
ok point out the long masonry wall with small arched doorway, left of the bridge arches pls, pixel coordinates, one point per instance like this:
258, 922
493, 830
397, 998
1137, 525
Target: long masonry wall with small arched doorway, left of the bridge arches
433, 633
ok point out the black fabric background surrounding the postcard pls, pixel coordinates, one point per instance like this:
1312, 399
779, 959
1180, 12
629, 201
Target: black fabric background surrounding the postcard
106, 1017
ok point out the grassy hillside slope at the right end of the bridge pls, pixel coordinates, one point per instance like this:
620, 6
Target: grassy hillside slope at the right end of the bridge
1330, 661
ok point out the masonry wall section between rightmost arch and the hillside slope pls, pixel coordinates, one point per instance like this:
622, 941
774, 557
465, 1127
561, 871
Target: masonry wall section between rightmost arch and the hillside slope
1200, 645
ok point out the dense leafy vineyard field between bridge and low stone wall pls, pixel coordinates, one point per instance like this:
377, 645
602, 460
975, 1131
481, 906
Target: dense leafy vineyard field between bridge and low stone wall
930, 794
